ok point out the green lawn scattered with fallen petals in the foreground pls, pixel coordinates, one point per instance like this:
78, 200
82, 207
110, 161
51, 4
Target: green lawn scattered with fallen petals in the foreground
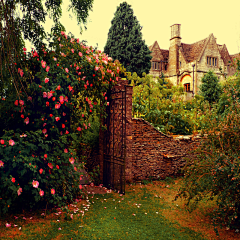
136, 215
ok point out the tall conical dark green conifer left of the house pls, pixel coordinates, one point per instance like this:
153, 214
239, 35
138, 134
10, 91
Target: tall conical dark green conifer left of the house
125, 41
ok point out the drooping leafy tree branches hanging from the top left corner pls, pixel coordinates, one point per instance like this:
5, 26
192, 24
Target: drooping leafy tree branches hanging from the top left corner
23, 19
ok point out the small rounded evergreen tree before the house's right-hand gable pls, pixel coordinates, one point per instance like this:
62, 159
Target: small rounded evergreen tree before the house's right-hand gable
210, 88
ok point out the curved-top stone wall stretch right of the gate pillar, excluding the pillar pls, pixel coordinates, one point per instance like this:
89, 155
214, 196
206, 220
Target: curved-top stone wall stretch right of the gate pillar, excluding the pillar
155, 154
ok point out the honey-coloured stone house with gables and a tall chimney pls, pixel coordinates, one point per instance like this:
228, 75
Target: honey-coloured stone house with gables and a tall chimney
186, 64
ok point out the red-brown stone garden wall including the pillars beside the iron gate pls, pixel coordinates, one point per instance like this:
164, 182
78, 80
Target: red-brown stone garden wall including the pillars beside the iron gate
149, 153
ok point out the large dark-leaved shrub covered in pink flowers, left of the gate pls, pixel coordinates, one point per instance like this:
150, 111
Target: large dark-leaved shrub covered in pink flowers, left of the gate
42, 125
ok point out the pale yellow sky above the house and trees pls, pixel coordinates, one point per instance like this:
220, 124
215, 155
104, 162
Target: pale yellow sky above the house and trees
198, 20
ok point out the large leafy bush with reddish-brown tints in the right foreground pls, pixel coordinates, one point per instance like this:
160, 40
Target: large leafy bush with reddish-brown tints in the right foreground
213, 171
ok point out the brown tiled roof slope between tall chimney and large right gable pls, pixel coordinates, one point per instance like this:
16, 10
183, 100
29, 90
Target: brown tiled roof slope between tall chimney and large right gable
192, 51
